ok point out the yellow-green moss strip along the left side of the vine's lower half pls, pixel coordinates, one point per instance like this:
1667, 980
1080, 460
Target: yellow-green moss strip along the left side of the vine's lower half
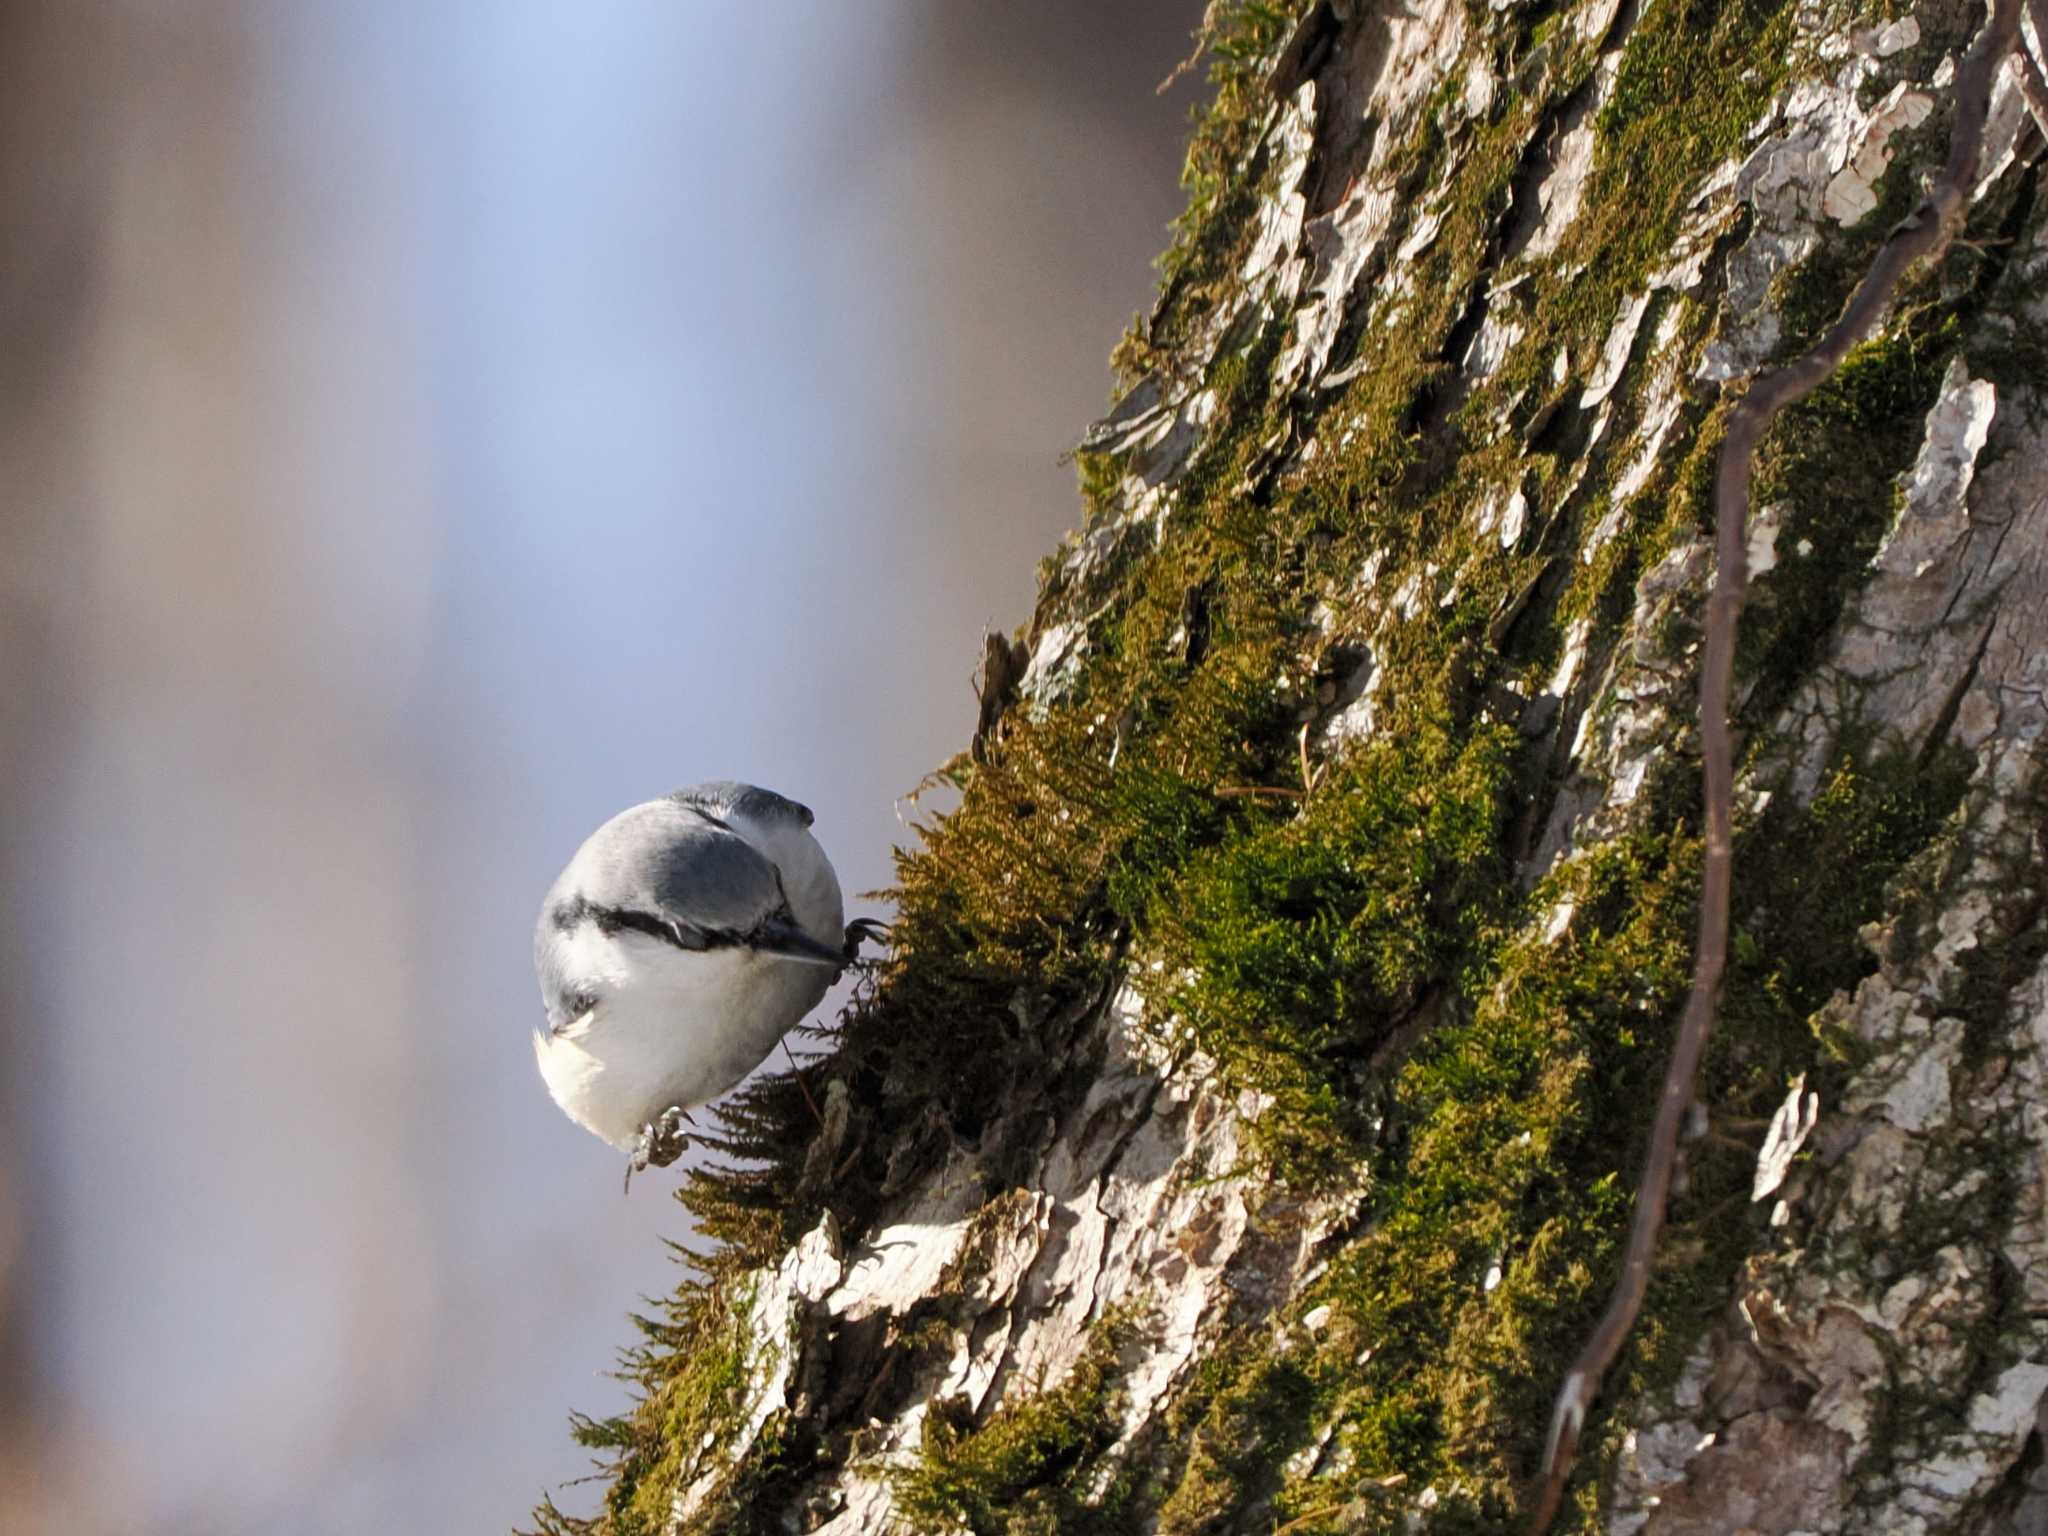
1514, 1132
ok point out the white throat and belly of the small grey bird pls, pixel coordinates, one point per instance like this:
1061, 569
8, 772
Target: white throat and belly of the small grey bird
677, 1031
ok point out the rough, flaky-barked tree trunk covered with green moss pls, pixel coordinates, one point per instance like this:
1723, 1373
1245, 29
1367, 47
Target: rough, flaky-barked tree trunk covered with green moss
1246, 1127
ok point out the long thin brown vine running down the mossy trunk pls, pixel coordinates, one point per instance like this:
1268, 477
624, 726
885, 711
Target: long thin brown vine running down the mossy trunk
1924, 234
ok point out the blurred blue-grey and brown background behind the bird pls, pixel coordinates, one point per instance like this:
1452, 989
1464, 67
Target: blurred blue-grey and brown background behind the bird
427, 431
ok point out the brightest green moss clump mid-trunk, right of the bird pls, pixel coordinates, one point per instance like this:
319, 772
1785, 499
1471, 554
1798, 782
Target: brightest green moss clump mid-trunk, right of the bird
1291, 951
